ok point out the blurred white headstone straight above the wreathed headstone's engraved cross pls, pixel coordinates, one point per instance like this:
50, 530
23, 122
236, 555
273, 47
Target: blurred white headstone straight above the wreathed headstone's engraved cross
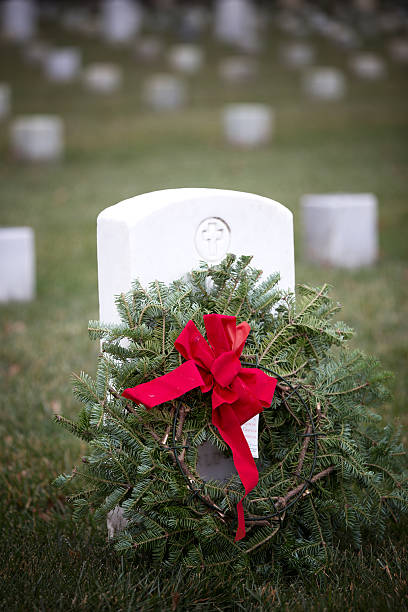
247, 125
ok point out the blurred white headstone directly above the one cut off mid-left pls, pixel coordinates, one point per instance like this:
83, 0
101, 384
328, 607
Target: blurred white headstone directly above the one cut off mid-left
37, 138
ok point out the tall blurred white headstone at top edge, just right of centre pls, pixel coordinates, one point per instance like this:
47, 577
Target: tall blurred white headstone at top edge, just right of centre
236, 23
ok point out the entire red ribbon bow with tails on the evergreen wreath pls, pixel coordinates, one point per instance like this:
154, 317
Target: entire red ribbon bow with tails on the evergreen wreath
238, 393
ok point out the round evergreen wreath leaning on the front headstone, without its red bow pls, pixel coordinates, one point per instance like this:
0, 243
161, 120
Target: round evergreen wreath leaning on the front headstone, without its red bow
328, 466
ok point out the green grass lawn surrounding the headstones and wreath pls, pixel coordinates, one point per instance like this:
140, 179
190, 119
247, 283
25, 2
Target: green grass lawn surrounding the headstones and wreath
117, 149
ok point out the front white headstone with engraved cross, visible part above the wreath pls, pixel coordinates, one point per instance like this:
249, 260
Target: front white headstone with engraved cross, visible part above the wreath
164, 234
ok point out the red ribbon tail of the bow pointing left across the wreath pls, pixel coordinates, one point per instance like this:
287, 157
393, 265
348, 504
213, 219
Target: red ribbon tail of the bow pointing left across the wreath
168, 387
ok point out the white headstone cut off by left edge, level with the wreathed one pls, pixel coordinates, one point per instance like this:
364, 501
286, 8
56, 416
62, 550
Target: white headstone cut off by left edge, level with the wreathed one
17, 264
